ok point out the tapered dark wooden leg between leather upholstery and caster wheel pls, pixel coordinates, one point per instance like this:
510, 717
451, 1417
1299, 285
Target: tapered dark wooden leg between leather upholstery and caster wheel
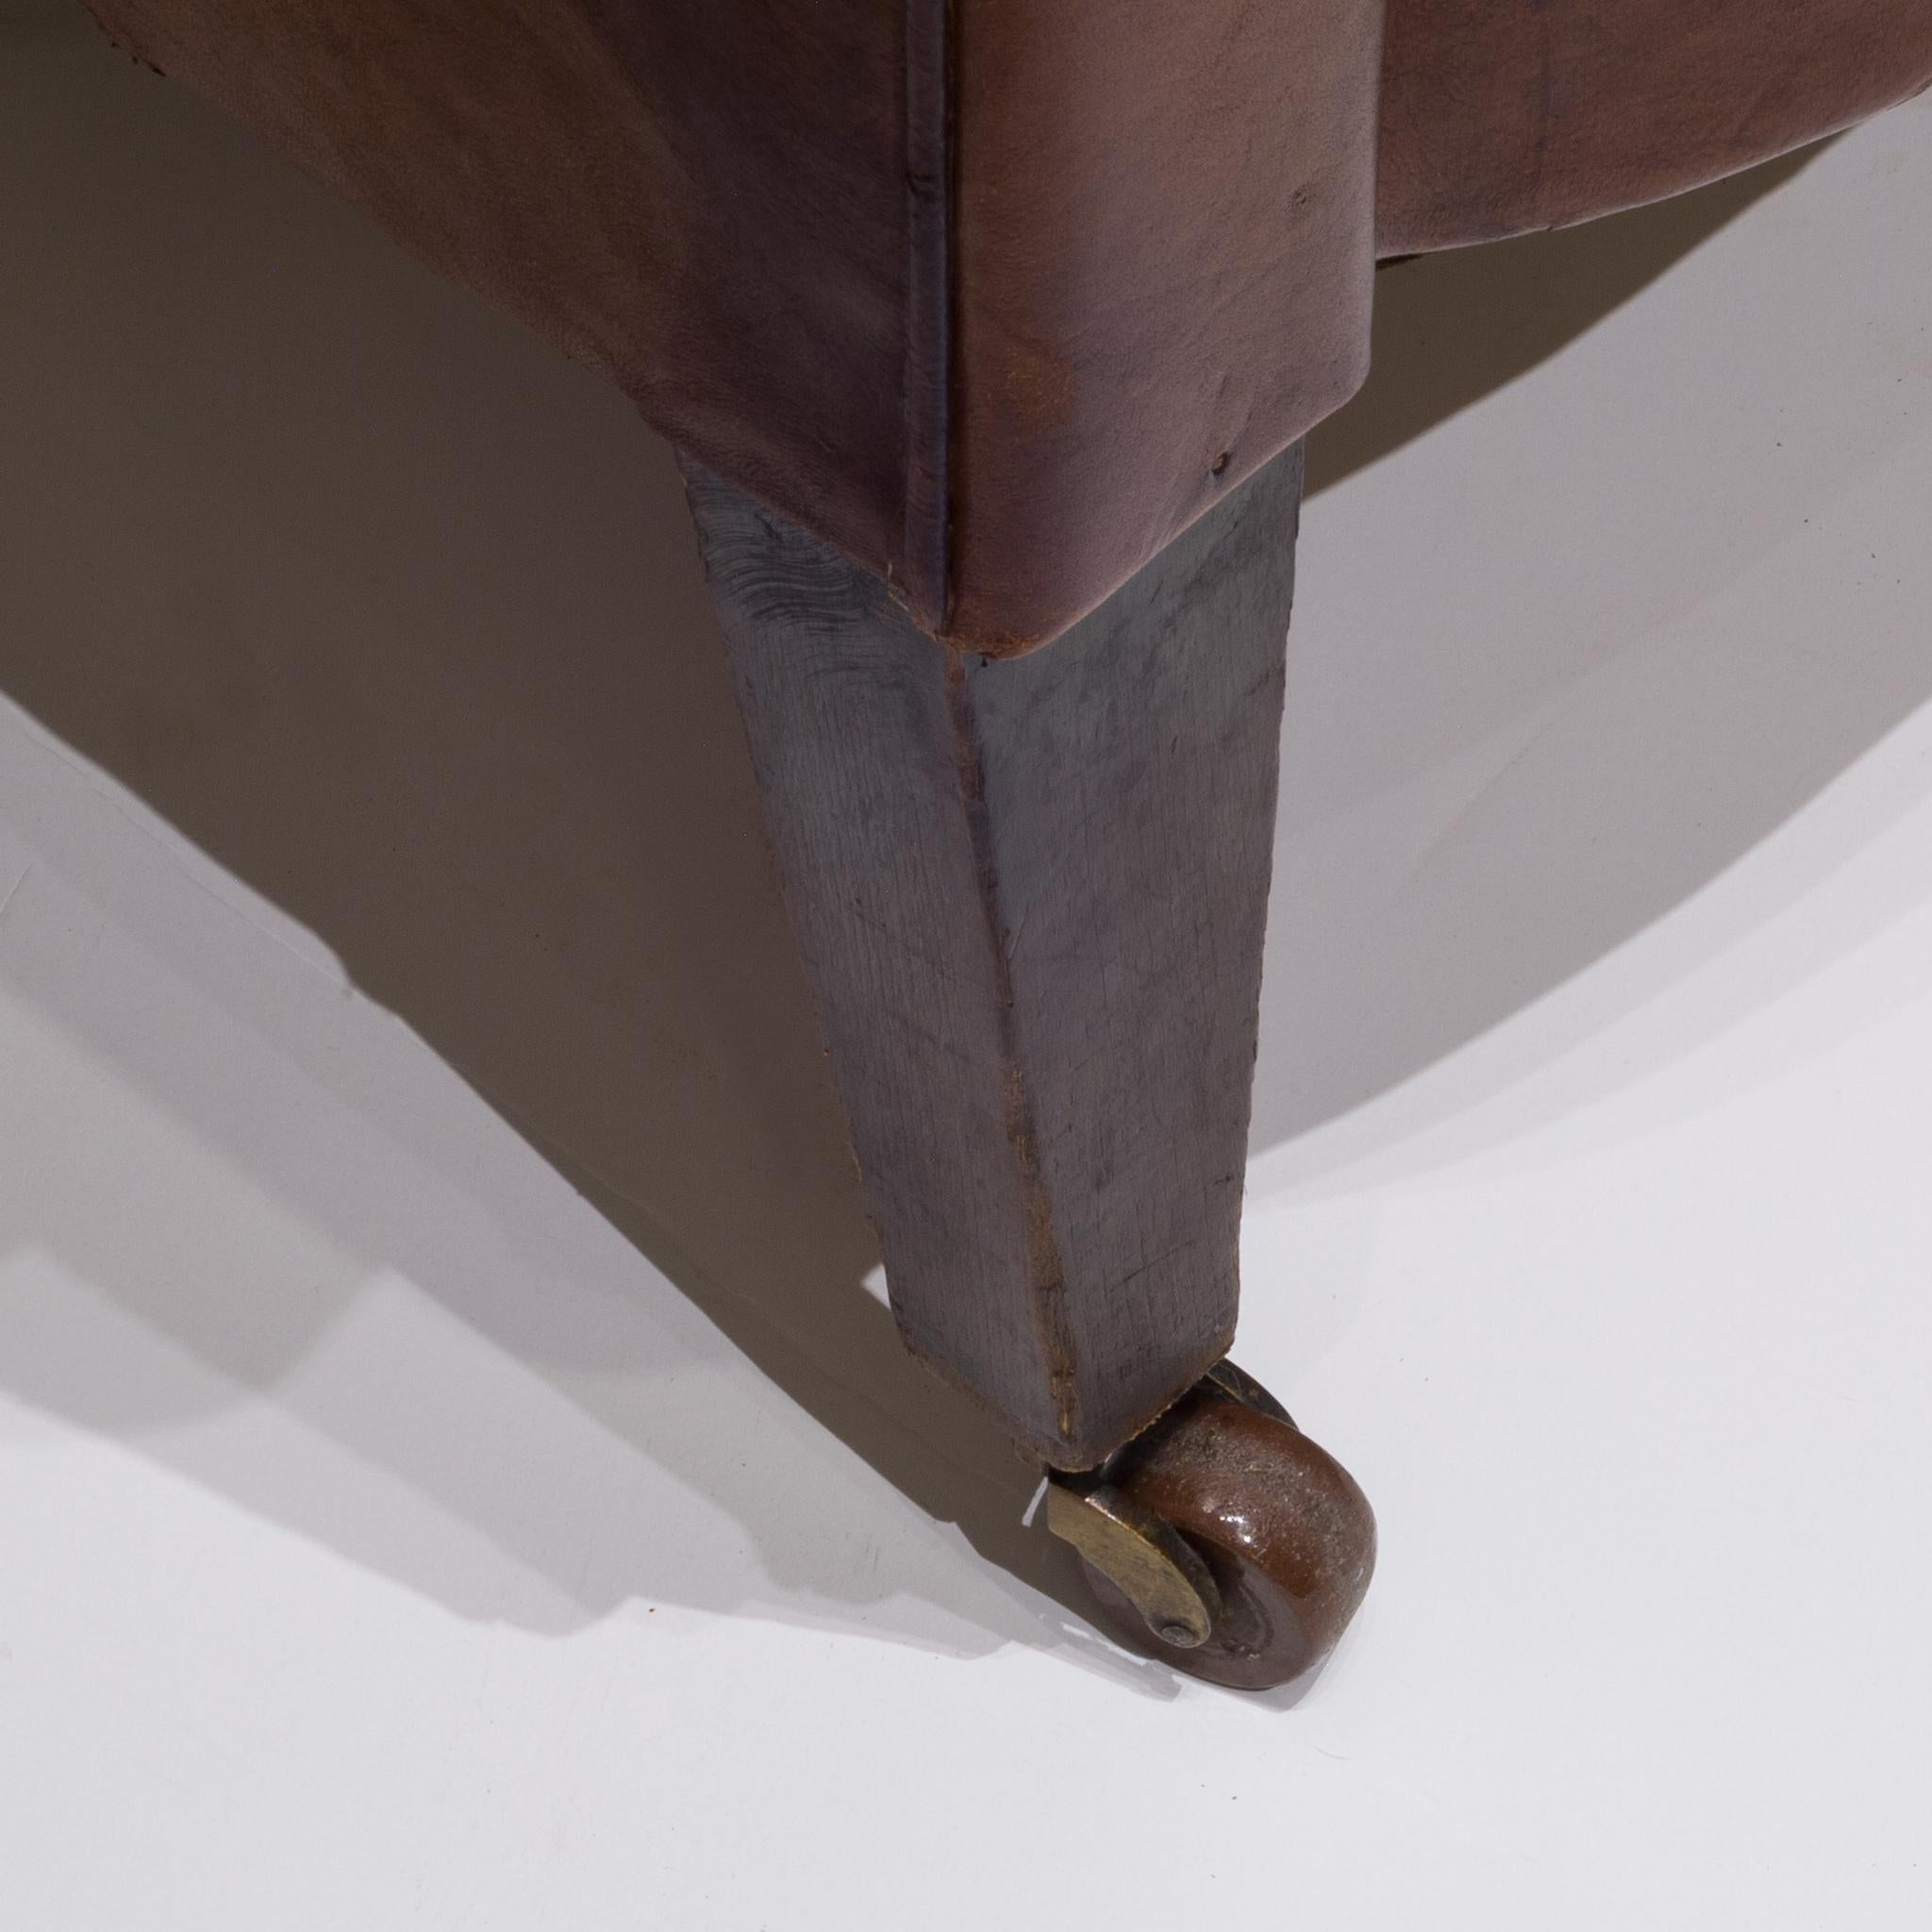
1031, 897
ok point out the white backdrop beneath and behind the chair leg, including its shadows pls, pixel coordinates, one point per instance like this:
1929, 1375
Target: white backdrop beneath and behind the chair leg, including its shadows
451, 1467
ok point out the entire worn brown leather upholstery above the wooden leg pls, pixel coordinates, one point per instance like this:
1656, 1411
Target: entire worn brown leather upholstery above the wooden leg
1000, 295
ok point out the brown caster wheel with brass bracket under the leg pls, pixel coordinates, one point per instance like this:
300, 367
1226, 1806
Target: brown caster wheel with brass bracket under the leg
1222, 1541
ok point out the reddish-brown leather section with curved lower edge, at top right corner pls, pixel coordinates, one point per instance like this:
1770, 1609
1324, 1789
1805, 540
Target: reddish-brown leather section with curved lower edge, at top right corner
1502, 117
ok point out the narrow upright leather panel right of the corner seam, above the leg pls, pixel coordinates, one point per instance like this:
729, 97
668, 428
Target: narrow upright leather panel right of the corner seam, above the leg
1164, 275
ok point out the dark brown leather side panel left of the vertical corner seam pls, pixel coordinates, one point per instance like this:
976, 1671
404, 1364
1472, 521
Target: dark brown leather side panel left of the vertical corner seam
700, 198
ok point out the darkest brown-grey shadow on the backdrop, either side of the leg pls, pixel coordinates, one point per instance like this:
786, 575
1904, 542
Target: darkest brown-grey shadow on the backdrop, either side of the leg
401, 619
